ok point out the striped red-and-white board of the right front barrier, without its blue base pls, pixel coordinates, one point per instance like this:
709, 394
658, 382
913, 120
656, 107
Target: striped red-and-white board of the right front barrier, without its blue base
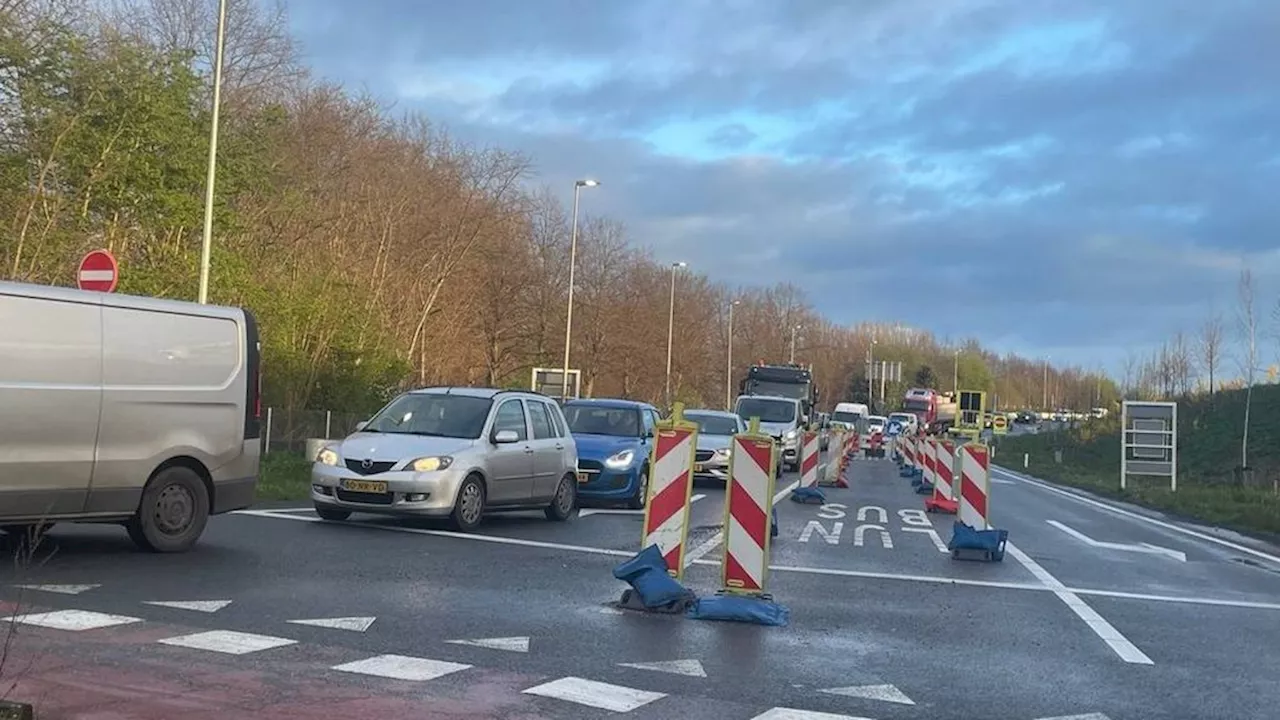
748, 513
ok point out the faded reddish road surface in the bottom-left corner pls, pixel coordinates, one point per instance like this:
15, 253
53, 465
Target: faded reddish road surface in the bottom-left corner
121, 673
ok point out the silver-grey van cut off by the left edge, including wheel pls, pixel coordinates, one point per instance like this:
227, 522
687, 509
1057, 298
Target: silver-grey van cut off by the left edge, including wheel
124, 409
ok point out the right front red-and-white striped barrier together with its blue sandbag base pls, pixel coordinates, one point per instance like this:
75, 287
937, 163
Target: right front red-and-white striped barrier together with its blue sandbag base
748, 512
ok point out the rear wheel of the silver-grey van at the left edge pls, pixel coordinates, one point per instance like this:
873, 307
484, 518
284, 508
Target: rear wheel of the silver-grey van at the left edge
173, 512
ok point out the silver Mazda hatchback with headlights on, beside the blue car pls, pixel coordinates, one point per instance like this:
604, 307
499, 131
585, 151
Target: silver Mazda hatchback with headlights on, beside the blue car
452, 453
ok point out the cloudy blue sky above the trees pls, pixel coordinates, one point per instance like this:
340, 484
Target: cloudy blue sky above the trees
1072, 180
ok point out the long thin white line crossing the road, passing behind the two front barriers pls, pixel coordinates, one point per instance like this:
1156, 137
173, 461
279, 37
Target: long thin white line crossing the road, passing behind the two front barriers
932, 580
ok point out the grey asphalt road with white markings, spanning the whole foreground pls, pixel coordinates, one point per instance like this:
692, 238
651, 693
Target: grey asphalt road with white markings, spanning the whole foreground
1122, 616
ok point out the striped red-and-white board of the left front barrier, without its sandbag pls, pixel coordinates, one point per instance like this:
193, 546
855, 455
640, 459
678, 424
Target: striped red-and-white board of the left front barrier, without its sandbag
671, 482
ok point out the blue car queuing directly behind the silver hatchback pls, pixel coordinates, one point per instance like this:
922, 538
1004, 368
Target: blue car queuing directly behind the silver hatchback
614, 439
